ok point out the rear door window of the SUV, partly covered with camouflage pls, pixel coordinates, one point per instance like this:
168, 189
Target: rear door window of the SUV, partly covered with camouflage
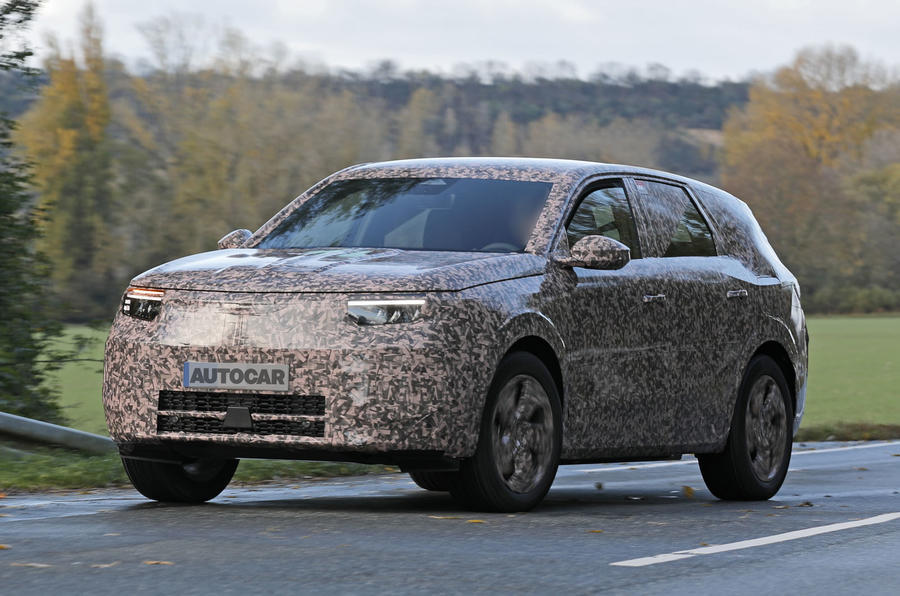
675, 225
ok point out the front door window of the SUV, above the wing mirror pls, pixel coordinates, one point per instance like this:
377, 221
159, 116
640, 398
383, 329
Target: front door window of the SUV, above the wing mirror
604, 211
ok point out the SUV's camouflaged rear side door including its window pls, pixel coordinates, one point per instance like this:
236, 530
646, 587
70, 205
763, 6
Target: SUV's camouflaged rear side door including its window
700, 295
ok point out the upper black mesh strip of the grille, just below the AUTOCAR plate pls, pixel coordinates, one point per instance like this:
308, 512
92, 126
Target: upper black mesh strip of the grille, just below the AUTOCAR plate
209, 401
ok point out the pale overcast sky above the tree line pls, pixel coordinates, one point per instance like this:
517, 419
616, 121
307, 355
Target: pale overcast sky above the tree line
719, 38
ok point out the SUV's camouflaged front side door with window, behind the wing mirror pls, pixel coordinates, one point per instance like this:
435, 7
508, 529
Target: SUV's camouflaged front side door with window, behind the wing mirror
610, 320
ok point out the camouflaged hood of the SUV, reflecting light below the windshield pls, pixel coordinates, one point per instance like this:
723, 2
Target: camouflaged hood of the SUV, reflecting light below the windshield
338, 270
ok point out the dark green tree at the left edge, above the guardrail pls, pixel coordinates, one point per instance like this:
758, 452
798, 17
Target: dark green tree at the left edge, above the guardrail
26, 332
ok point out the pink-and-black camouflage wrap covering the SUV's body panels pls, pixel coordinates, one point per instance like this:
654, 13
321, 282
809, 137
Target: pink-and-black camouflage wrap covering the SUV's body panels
637, 377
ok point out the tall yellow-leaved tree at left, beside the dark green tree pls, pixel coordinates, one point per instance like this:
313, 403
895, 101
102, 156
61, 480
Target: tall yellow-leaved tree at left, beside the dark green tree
65, 135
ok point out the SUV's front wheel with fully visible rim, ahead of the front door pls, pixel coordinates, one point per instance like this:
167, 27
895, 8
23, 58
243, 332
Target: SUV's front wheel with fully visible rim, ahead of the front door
519, 441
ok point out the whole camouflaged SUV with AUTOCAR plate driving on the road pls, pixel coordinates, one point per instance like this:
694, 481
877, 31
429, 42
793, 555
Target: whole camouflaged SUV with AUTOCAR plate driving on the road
476, 322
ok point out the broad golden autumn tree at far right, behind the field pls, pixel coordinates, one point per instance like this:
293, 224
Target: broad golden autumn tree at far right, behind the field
789, 153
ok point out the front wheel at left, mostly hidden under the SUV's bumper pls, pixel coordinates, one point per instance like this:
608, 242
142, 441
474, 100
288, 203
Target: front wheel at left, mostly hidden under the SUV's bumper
192, 482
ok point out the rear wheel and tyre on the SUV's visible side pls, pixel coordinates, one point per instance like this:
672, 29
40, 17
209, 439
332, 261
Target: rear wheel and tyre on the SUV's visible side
758, 452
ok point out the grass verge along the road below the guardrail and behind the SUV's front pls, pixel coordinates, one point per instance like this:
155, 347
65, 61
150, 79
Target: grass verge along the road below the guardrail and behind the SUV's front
47, 468
